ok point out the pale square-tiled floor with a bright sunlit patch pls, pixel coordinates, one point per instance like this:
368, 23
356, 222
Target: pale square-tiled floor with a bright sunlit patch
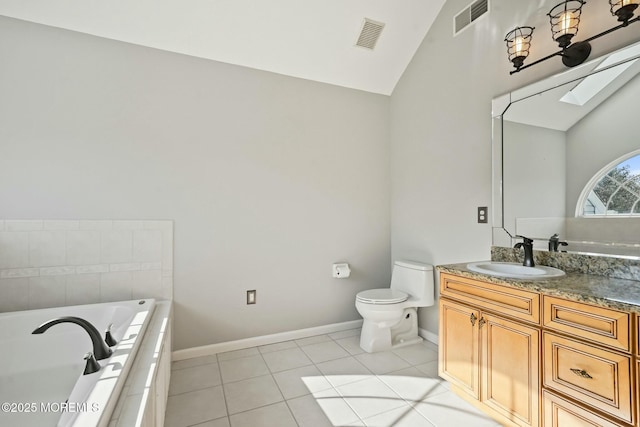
321, 381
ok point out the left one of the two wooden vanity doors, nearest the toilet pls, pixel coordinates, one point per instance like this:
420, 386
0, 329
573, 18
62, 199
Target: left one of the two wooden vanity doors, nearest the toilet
458, 352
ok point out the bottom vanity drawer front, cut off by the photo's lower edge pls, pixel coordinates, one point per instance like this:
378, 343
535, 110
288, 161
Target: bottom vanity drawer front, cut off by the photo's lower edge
559, 412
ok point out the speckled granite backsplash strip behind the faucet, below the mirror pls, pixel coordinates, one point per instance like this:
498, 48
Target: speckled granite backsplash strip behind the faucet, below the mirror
600, 265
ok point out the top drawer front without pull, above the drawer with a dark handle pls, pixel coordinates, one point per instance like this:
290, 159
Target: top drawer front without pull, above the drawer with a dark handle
602, 325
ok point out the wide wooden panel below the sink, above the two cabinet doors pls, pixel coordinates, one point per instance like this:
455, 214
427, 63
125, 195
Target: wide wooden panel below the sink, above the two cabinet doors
517, 303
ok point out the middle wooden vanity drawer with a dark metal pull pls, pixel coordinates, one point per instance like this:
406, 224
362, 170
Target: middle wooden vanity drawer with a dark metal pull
600, 378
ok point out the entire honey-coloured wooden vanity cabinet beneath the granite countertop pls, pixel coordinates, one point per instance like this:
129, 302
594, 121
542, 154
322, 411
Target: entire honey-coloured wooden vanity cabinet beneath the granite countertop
532, 359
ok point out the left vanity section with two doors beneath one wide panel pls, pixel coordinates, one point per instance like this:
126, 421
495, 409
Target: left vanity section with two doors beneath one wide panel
490, 358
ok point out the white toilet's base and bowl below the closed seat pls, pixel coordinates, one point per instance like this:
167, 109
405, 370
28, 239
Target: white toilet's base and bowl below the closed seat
375, 338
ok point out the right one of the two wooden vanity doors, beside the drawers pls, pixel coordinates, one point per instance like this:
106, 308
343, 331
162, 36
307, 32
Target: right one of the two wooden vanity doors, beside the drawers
510, 369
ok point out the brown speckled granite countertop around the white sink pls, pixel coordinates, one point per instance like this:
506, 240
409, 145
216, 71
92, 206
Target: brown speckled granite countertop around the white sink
619, 294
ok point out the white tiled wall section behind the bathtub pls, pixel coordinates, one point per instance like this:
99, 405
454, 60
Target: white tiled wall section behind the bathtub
51, 263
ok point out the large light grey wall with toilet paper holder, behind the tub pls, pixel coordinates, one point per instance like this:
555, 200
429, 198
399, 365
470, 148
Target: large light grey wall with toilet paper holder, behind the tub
269, 179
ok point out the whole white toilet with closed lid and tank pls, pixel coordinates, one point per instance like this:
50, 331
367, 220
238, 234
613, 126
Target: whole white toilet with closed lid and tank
391, 314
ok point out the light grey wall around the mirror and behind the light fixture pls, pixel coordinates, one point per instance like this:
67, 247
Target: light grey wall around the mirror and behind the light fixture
441, 126
